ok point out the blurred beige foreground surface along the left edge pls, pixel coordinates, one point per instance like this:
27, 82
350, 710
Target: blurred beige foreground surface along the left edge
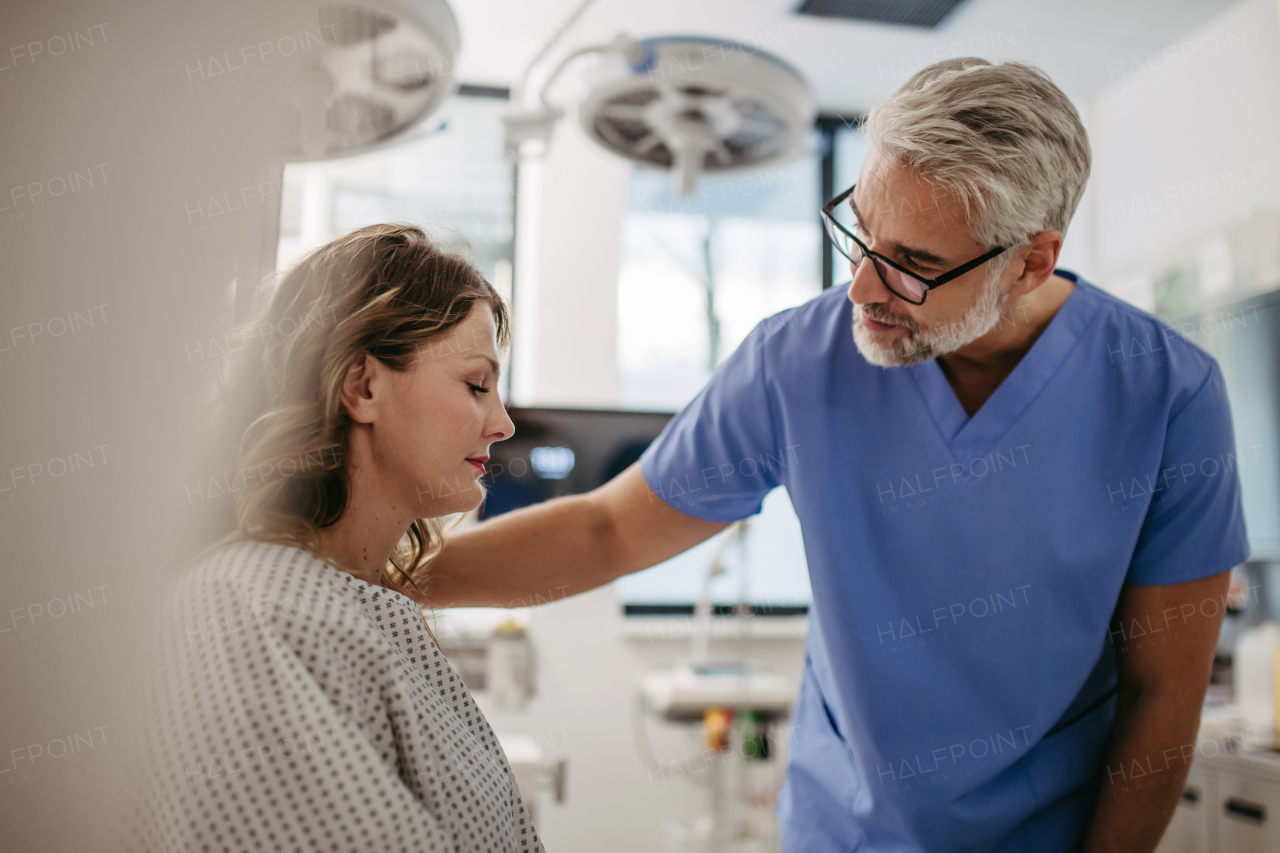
127, 391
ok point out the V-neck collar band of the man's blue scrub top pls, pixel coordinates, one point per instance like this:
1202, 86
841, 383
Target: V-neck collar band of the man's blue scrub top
1021, 387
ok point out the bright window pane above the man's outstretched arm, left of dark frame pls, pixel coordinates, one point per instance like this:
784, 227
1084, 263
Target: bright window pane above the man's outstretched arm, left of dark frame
698, 273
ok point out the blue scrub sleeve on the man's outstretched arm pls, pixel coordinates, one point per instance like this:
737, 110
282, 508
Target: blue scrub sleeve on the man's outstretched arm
720, 457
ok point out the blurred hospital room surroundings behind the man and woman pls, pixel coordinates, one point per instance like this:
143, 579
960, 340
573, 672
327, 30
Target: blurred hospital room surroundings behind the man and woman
642, 181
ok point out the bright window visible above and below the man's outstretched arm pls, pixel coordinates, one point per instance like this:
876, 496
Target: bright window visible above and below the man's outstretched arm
697, 275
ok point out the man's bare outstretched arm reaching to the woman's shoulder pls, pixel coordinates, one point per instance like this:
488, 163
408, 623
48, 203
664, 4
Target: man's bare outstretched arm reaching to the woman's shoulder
561, 548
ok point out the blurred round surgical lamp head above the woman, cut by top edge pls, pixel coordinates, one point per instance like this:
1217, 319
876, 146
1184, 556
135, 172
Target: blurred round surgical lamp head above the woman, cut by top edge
385, 67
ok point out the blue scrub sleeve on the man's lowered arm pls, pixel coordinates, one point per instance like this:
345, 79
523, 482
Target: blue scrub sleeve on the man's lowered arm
1195, 527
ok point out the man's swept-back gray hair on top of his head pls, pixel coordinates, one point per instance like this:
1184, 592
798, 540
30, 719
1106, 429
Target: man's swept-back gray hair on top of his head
1004, 139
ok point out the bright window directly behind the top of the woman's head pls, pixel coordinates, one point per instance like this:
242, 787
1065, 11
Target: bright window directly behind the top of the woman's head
454, 183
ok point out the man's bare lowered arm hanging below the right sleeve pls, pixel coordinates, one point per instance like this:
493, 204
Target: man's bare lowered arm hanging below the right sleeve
1164, 640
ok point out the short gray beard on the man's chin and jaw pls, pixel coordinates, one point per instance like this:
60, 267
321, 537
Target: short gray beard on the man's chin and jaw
922, 345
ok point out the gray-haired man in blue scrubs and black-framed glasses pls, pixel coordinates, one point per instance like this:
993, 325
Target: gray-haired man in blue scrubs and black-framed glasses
1020, 536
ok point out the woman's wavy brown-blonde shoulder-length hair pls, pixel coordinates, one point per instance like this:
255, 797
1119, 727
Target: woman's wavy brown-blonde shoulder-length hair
282, 428
